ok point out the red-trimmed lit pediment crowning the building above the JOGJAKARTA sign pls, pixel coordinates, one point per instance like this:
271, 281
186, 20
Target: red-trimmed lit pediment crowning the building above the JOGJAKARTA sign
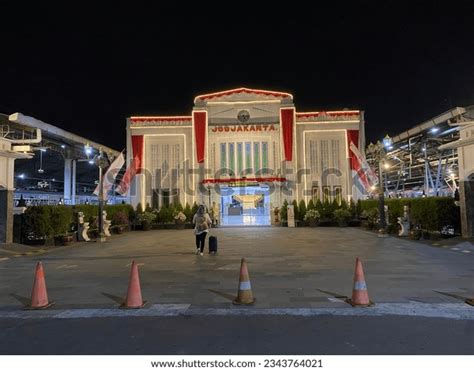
243, 95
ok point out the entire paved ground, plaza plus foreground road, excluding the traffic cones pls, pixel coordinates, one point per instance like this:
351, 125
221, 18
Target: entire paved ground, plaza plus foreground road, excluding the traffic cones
190, 310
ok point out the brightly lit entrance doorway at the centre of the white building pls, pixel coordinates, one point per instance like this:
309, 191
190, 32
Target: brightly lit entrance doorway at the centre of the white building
247, 205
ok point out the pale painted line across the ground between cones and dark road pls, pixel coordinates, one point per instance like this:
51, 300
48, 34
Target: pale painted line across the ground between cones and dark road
458, 311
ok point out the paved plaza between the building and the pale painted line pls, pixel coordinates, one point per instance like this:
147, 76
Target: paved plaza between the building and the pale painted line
287, 267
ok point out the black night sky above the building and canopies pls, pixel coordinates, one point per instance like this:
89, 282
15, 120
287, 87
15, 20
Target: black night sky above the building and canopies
86, 69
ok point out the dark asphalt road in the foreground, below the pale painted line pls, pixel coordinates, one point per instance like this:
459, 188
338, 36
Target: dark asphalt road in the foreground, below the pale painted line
235, 335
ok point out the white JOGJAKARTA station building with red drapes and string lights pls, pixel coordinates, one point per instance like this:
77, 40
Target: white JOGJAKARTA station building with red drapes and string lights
245, 151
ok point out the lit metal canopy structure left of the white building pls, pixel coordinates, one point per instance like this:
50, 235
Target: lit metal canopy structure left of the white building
63, 164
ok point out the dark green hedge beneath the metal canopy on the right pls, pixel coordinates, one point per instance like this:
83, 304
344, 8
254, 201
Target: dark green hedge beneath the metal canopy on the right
431, 213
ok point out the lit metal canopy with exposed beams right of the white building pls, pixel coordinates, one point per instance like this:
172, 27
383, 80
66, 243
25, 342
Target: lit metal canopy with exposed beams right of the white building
420, 161
